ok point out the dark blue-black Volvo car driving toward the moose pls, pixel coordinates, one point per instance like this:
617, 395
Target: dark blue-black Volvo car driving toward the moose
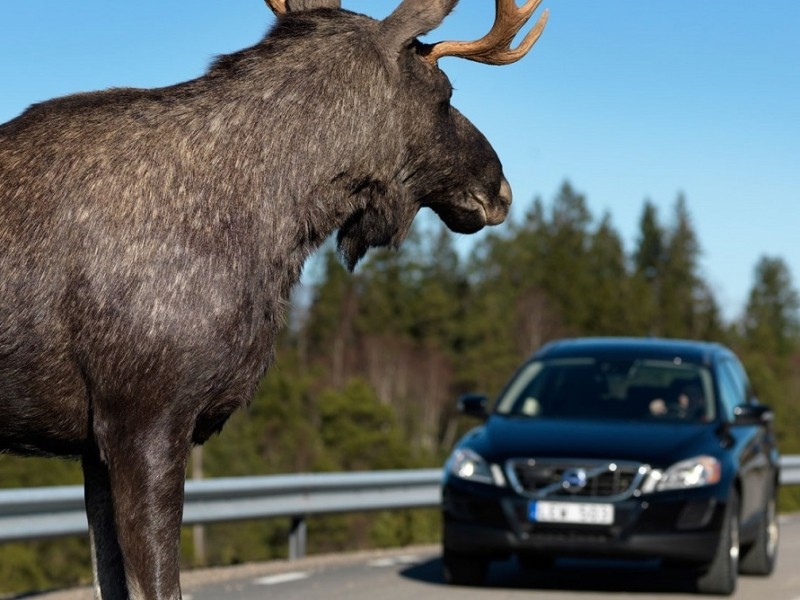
617, 447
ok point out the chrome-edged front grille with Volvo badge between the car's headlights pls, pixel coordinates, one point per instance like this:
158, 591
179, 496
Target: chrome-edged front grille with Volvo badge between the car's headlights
539, 478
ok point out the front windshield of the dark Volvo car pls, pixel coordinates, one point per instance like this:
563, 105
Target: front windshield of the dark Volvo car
589, 388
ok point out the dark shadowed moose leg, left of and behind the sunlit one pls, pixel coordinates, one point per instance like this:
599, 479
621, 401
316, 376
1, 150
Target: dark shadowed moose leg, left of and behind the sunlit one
107, 566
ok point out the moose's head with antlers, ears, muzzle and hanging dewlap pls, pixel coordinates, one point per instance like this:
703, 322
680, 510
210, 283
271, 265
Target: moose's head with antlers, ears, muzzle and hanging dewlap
424, 152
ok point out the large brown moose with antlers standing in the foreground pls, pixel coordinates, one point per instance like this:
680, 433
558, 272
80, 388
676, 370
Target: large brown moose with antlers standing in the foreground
150, 238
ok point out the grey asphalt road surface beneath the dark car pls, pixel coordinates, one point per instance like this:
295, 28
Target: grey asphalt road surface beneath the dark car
415, 573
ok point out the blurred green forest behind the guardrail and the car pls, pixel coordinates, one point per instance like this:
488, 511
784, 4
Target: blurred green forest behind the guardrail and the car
370, 364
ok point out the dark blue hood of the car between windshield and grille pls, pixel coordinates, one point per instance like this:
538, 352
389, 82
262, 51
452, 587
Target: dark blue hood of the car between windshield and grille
658, 444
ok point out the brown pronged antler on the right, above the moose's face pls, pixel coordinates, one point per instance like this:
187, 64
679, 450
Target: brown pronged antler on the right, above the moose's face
495, 47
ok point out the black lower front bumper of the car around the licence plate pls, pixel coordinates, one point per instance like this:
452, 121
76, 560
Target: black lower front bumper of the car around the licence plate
674, 526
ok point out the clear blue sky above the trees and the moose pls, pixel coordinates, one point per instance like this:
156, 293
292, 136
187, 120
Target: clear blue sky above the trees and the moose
627, 99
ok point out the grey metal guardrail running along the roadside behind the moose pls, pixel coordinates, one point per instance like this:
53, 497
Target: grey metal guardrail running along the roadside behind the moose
40, 513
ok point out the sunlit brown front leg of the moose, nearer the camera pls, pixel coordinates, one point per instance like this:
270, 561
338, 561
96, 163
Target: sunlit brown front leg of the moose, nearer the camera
146, 475
